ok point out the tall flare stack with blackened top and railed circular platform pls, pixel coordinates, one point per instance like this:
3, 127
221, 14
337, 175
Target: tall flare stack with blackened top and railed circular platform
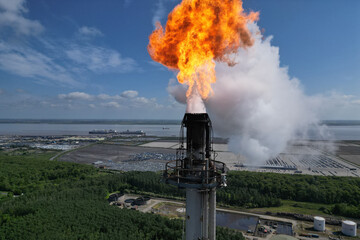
196, 170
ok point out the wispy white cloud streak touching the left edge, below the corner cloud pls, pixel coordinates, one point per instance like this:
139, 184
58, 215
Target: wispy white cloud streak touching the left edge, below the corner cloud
26, 62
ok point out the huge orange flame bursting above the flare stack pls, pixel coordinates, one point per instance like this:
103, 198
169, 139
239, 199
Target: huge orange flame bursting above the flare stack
198, 33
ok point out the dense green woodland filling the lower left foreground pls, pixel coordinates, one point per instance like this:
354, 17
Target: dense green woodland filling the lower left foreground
59, 200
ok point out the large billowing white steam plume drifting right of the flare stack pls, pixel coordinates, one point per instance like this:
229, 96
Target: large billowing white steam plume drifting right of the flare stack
255, 103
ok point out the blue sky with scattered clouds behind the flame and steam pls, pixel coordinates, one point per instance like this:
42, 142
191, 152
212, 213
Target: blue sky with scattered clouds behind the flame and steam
88, 59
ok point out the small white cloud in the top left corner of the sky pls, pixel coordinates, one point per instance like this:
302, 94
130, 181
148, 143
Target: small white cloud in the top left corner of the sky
11, 15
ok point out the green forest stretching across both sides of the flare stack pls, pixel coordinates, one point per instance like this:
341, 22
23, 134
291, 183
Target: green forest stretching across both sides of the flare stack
67, 201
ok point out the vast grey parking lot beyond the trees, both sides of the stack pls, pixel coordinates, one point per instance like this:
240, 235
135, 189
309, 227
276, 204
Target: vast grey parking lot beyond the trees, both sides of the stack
313, 157
